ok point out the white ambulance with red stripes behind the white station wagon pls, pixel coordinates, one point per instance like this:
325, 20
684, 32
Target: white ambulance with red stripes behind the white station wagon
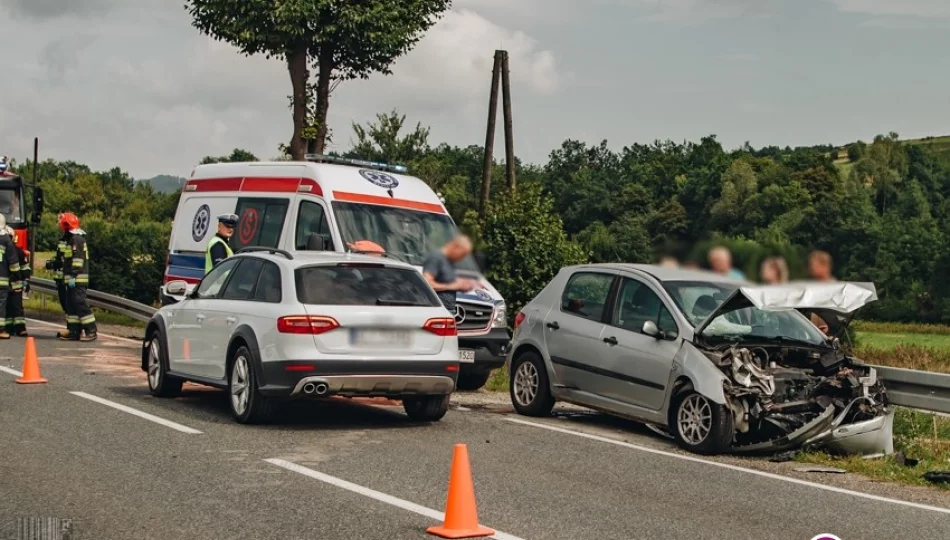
335, 204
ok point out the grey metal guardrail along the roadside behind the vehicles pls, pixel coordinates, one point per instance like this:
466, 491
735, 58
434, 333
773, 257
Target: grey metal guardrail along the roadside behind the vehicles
906, 387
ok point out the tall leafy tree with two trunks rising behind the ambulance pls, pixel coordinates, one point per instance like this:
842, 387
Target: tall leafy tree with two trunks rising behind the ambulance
342, 40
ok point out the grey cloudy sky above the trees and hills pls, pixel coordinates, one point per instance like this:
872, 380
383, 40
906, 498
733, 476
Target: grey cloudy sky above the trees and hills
131, 83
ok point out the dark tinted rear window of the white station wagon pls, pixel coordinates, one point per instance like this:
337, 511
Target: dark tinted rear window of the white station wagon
363, 285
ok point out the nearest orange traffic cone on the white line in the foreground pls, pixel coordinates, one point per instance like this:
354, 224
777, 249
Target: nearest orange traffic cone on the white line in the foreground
461, 517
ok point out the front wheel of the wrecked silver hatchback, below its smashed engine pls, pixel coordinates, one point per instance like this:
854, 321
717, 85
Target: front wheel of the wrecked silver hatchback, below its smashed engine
701, 425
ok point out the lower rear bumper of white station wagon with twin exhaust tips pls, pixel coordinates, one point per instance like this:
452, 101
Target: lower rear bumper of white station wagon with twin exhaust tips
390, 378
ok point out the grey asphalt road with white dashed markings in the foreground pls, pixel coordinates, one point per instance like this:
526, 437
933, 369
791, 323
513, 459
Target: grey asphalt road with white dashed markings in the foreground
342, 469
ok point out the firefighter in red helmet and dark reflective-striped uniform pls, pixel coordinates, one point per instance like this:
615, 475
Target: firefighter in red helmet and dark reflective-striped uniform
80, 322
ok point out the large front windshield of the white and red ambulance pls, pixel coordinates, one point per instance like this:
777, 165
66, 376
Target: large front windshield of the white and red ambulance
407, 235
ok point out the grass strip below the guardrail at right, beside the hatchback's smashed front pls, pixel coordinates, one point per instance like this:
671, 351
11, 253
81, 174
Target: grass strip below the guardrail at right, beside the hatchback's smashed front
918, 435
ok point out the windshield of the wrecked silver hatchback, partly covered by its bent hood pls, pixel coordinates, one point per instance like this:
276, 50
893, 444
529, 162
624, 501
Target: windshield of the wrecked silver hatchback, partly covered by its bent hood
697, 300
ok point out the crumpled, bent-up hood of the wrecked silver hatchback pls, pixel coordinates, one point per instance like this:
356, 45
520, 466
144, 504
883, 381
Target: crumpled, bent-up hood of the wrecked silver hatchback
835, 302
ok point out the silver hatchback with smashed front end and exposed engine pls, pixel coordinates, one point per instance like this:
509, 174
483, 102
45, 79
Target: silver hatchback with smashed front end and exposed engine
721, 365
